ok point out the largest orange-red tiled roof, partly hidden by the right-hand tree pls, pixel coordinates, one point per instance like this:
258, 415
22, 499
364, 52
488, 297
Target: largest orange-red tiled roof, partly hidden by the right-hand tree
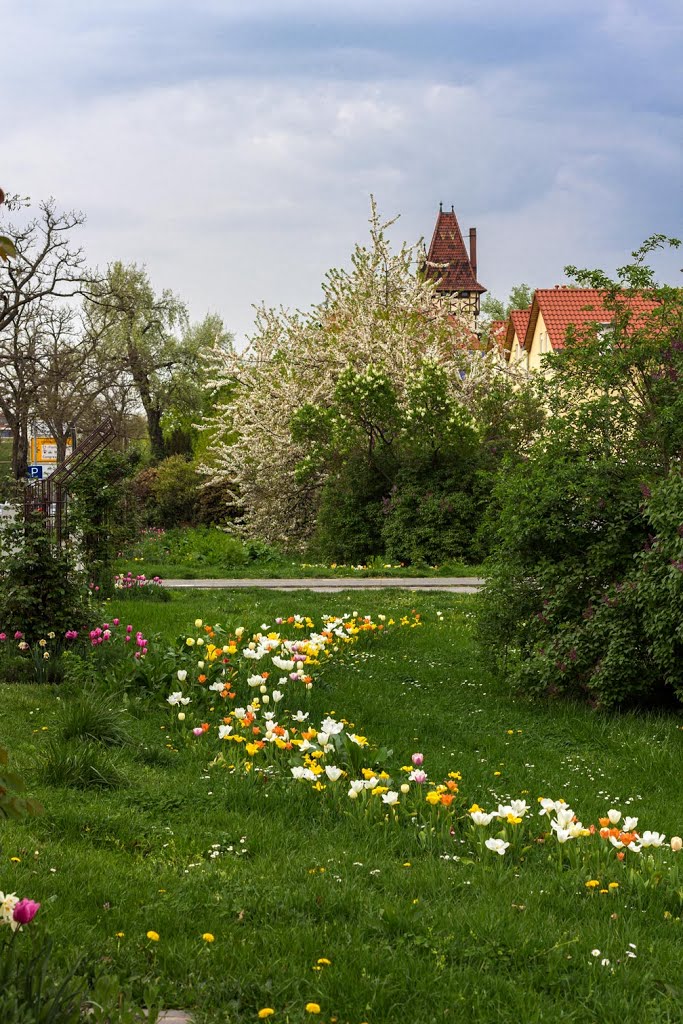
564, 307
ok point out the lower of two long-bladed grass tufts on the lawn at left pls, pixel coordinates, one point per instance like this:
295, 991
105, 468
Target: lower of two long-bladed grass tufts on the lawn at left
82, 766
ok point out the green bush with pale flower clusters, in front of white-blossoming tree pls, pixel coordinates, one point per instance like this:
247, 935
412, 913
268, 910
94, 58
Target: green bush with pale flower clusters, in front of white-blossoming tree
408, 477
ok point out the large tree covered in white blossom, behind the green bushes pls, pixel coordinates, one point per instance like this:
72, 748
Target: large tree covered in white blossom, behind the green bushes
380, 313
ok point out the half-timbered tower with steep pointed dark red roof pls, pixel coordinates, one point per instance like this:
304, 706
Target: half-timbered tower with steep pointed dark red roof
452, 267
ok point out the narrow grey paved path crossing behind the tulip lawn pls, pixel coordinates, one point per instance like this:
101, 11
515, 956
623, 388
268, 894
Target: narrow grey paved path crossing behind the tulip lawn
453, 585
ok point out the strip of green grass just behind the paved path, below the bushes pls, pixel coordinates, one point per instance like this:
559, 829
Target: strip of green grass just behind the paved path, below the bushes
210, 553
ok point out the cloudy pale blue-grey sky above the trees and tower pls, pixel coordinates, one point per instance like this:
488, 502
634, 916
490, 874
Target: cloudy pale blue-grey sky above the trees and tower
232, 147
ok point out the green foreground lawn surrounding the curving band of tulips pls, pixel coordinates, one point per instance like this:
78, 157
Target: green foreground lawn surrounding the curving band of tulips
312, 901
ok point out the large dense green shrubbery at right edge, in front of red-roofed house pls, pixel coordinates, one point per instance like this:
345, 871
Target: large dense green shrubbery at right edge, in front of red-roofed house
584, 593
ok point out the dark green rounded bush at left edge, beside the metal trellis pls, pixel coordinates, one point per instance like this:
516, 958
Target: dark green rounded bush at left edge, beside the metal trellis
40, 591
